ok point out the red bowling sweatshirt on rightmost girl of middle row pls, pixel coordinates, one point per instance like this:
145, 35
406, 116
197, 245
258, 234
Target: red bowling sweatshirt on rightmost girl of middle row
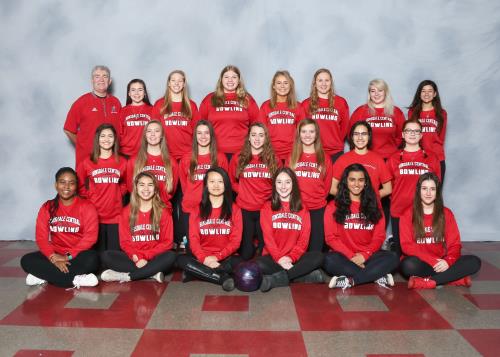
406, 167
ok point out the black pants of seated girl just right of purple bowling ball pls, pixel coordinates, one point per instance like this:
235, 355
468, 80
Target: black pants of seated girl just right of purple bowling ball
307, 263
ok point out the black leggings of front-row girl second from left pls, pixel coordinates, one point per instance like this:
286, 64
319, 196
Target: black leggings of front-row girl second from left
119, 261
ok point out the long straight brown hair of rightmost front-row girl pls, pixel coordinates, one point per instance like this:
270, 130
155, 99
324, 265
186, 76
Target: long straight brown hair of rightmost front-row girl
438, 220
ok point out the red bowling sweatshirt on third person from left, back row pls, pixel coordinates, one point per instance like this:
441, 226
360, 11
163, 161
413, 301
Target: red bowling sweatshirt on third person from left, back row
178, 128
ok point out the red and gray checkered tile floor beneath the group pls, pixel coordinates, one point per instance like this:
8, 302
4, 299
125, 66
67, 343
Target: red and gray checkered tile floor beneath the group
199, 319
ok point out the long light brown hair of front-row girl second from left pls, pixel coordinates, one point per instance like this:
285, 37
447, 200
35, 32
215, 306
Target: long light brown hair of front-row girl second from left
135, 204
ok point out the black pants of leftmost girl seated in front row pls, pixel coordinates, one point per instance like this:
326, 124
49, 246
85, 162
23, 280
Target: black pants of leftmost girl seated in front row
38, 265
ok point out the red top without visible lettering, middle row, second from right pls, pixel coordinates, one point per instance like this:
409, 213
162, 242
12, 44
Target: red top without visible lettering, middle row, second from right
372, 162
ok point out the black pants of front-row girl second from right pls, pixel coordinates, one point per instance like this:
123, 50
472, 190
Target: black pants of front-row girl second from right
378, 265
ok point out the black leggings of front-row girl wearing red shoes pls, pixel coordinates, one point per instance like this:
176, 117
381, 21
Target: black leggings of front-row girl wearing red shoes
464, 266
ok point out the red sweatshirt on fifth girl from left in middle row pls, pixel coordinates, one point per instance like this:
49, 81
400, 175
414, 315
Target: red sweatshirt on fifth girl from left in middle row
314, 185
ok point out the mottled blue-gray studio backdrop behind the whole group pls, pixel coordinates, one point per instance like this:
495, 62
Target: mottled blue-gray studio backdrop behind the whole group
49, 47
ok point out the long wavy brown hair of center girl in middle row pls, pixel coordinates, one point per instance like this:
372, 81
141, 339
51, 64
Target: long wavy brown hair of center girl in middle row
267, 155
